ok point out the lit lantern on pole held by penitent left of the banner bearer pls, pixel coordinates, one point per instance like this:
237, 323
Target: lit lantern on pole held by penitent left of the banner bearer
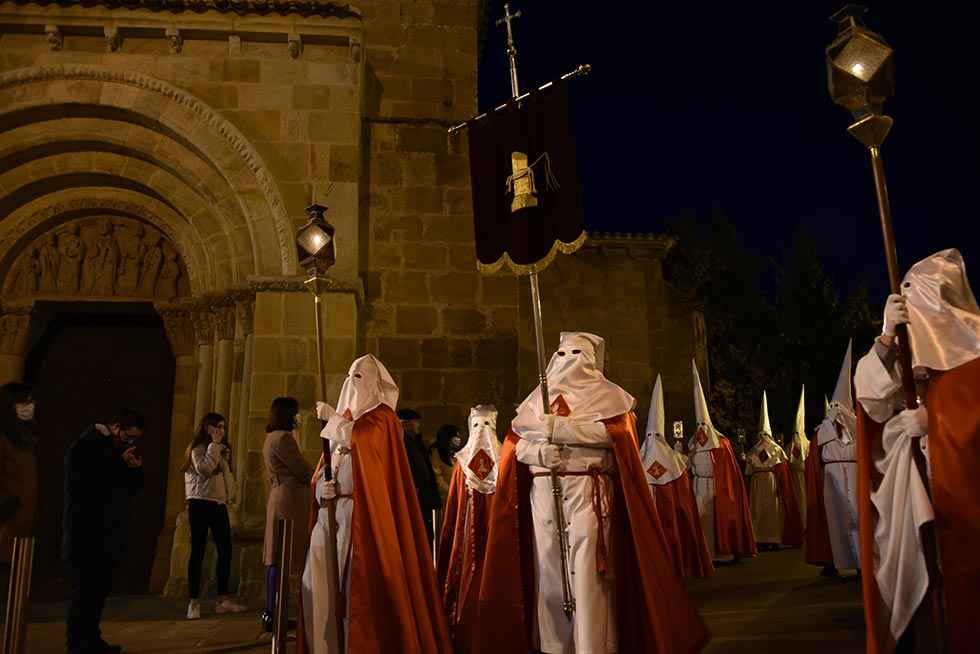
316, 251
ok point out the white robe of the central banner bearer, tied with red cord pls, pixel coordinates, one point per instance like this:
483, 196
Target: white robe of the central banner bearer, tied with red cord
592, 629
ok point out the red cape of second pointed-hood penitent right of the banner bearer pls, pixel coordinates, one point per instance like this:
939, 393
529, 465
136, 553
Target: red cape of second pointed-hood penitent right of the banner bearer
733, 520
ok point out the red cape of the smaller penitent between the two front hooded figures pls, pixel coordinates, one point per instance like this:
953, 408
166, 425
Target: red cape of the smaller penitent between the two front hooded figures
461, 554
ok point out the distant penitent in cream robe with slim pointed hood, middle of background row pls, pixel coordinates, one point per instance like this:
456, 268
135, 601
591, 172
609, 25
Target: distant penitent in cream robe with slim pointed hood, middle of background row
775, 512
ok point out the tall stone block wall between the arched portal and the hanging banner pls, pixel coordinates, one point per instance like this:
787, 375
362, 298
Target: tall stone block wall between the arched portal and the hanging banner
447, 333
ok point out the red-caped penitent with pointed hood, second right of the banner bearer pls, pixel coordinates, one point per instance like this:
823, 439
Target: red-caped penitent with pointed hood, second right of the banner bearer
719, 488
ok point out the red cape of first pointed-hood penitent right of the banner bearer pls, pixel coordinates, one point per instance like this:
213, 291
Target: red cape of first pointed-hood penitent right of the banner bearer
682, 527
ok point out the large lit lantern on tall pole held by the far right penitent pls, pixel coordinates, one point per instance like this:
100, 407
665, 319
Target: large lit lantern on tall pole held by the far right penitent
861, 77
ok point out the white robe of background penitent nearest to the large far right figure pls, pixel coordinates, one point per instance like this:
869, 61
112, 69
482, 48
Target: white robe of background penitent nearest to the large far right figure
840, 477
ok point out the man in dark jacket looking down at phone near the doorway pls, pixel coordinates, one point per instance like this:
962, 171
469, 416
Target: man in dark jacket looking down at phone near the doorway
102, 472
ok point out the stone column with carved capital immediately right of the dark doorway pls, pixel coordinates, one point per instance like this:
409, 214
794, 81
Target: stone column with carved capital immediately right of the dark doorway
173, 548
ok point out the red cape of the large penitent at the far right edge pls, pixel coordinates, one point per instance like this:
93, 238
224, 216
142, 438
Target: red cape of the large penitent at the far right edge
953, 403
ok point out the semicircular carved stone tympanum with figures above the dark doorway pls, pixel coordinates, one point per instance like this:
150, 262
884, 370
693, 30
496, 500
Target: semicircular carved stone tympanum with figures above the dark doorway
99, 257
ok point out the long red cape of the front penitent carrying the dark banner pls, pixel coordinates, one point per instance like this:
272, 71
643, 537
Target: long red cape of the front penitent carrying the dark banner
654, 614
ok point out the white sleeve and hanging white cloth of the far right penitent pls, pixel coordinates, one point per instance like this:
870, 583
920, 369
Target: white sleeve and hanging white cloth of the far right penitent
901, 500
